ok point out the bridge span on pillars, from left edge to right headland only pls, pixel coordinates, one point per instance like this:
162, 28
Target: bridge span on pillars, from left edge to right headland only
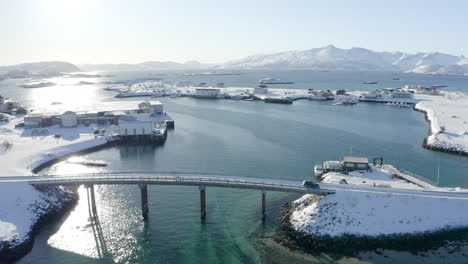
142, 179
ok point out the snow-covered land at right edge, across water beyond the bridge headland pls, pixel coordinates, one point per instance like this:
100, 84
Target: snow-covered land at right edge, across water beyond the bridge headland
448, 115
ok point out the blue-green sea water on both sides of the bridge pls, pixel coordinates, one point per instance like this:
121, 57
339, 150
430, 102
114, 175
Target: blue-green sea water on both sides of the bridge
246, 139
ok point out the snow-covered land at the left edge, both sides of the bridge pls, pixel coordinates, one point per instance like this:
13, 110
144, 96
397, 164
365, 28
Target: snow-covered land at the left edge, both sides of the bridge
21, 205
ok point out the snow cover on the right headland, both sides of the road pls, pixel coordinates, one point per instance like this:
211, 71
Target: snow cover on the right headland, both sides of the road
374, 214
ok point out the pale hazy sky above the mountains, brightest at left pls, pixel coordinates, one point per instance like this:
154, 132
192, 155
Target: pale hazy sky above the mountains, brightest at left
124, 31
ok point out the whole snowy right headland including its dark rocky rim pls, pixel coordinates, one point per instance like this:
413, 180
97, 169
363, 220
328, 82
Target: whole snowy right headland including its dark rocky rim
315, 221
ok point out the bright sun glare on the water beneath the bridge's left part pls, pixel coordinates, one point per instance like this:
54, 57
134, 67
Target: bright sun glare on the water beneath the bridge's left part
111, 234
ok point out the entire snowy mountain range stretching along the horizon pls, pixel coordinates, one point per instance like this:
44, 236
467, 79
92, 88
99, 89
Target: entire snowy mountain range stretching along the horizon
328, 58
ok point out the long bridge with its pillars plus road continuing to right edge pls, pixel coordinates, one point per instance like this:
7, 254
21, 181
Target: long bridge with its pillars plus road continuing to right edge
142, 179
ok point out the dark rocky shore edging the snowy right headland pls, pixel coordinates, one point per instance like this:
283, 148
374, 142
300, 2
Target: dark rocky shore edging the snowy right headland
350, 244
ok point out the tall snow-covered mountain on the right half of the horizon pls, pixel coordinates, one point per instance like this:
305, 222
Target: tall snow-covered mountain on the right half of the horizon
359, 59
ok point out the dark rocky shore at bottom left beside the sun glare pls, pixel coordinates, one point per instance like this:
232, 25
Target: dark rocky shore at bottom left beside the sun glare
10, 252
